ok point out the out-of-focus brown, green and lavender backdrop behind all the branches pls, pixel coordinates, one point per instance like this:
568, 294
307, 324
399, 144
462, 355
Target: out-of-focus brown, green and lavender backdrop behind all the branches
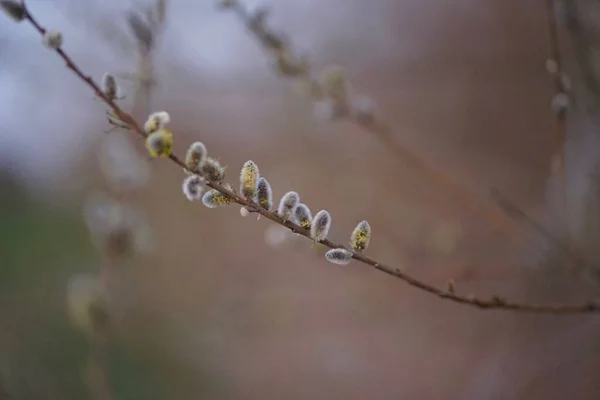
223, 310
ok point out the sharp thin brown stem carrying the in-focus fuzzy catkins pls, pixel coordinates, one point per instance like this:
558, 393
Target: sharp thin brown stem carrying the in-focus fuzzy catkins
495, 302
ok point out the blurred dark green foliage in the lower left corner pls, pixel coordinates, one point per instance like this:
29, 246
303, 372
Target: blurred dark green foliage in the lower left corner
41, 354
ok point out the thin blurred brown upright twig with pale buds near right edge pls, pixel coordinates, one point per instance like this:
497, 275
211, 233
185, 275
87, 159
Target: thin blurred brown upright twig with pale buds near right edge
558, 163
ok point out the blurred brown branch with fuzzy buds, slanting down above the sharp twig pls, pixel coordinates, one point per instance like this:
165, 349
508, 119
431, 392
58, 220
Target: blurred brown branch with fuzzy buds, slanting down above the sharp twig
334, 99
